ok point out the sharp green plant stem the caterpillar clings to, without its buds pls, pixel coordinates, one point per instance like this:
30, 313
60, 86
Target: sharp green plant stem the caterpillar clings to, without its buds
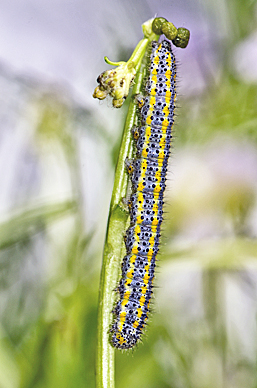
118, 217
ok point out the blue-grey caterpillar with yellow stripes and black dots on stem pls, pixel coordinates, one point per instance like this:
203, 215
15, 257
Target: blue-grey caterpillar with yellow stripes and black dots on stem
148, 175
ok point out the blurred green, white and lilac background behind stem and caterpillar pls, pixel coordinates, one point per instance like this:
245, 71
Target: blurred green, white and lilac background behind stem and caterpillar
58, 149
